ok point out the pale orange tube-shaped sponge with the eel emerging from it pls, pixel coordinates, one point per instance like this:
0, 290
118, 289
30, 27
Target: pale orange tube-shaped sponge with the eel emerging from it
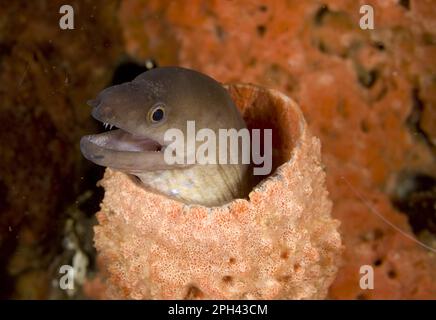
280, 243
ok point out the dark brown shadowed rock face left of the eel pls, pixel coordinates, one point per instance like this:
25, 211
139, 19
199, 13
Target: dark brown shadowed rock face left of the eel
46, 75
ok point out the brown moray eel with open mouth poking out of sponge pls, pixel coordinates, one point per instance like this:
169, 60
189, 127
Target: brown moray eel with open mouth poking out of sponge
142, 110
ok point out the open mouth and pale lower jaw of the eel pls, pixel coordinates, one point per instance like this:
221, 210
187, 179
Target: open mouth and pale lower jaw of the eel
121, 150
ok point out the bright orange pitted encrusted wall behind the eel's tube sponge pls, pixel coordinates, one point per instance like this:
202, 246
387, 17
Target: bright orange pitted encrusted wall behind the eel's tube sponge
356, 88
